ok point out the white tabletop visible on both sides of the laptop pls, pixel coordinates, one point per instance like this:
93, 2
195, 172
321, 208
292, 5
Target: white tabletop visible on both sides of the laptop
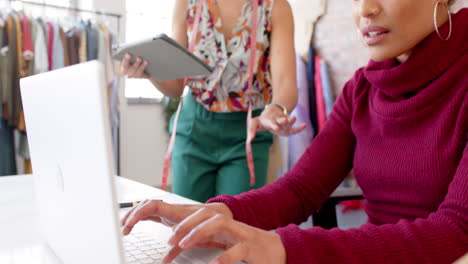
20, 238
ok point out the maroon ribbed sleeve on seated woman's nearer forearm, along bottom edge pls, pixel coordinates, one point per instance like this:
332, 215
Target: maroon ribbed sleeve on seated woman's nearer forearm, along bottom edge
440, 239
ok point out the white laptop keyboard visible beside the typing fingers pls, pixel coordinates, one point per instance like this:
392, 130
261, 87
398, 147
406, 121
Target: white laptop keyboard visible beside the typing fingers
143, 249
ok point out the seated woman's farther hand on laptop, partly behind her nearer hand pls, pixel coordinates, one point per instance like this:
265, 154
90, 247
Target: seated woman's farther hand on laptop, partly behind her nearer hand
167, 214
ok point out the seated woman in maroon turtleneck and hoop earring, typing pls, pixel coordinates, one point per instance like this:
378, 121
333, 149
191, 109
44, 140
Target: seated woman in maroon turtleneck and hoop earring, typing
401, 123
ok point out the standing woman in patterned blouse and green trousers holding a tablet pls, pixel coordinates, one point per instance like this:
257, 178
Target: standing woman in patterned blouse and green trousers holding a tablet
209, 155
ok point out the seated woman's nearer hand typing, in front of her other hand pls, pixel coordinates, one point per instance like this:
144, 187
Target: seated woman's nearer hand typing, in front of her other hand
209, 229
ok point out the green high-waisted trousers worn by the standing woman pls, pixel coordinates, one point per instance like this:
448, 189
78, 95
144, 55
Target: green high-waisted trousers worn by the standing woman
209, 156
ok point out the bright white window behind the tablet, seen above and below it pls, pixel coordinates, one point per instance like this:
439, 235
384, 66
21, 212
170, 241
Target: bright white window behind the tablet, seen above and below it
146, 18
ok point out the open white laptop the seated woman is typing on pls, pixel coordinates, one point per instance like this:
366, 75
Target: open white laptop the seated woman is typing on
67, 121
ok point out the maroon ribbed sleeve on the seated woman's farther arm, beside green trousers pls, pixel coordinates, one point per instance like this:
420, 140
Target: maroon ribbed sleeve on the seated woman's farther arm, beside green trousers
294, 197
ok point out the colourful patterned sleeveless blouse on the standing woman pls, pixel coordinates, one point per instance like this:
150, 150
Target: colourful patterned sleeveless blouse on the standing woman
225, 90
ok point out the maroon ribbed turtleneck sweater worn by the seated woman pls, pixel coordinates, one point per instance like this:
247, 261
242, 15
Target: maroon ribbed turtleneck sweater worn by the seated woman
403, 128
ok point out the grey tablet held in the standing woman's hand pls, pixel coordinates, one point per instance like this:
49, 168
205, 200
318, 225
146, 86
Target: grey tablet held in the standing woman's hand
167, 59
